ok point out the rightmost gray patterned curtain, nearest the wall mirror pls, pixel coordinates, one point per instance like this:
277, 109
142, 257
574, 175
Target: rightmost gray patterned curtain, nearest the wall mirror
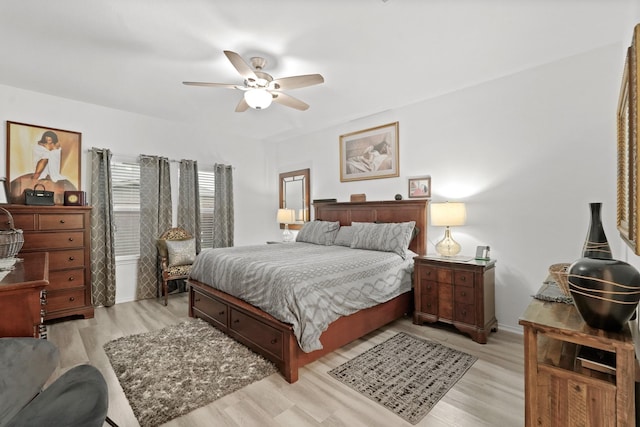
223, 221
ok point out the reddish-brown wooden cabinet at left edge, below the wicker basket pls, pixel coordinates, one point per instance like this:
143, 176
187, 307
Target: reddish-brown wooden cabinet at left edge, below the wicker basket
21, 297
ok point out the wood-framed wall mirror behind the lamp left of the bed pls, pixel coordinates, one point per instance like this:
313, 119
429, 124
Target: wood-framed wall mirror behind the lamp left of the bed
294, 194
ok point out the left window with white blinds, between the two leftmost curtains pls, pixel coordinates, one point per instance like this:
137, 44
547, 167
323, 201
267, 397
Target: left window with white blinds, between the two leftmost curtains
126, 207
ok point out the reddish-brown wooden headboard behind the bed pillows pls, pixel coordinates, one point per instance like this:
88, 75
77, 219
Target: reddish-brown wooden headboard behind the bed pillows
387, 211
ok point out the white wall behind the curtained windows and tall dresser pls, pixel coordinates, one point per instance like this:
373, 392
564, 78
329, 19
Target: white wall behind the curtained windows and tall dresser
132, 134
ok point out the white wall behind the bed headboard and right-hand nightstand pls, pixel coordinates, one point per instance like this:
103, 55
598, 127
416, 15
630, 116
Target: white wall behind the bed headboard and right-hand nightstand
527, 153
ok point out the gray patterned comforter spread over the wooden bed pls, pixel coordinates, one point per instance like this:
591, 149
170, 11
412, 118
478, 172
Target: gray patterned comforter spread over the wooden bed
306, 285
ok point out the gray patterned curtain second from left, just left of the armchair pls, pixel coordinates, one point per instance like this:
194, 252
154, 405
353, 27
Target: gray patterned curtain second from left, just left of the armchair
155, 218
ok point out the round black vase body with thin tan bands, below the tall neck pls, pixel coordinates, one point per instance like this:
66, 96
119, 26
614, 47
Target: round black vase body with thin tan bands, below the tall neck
605, 291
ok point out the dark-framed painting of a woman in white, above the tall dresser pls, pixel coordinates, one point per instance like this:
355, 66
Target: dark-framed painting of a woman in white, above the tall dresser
42, 155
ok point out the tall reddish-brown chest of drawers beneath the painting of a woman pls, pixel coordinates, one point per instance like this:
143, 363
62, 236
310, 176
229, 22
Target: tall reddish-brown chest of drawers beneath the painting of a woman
65, 233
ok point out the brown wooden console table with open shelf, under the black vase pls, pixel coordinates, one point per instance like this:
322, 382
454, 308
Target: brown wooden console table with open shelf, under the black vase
557, 391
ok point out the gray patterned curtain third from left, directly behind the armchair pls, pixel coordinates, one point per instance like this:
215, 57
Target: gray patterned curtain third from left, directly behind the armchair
189, 199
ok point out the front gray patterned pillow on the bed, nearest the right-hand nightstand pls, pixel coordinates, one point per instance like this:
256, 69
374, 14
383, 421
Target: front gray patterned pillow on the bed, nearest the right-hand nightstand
388, 237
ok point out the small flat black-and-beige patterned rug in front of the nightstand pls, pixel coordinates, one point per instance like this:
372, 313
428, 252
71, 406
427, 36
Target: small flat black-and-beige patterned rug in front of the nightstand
405, 374
